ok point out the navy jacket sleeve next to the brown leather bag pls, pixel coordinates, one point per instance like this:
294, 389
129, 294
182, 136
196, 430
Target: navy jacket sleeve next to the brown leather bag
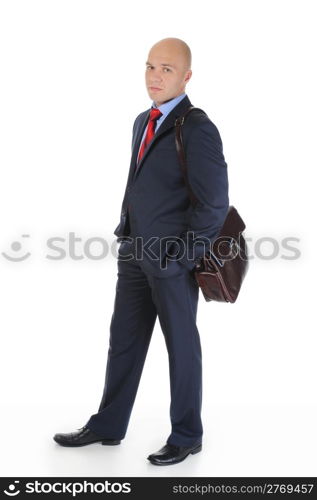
208, 179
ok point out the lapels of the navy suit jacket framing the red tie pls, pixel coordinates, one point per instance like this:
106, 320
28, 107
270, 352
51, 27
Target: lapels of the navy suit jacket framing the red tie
168, 123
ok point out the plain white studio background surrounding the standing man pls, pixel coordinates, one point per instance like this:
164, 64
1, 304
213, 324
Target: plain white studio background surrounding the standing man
72, 77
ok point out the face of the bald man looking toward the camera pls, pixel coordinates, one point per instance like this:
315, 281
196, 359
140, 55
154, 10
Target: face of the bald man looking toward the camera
166, 74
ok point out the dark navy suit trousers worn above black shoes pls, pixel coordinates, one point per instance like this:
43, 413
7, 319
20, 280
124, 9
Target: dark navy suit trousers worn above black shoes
139, 299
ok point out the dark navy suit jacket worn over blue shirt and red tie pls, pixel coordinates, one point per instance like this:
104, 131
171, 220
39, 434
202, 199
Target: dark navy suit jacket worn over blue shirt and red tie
156, 205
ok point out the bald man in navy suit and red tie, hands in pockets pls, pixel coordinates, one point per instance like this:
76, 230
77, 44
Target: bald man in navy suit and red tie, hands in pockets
155, 275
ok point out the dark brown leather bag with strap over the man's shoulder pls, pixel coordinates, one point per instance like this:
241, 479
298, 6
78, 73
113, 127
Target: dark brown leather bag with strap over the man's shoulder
222, 269
